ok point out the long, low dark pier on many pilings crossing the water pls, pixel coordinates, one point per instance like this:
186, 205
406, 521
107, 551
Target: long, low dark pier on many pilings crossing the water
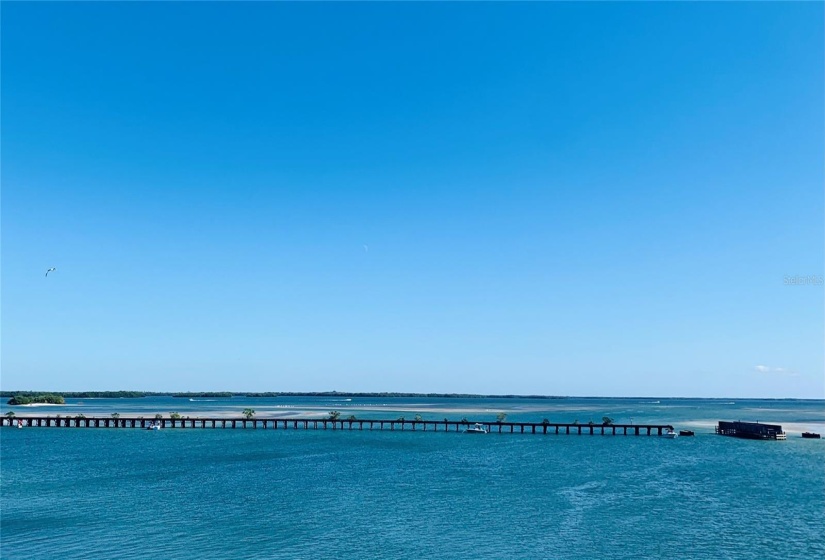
334, 424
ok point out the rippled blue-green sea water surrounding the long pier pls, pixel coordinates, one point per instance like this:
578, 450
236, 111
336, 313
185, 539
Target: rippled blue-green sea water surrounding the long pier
98, 493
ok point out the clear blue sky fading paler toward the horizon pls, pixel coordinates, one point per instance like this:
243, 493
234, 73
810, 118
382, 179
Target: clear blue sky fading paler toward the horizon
566, 199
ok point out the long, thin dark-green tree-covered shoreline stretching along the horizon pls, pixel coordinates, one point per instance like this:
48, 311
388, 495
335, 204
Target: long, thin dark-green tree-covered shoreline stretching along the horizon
227, 394
